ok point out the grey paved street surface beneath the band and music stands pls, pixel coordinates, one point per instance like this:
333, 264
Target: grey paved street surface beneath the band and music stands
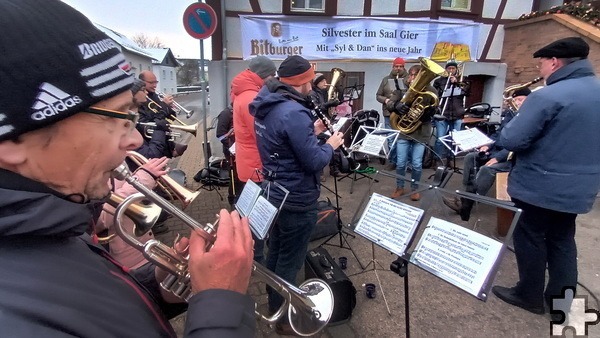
437, 308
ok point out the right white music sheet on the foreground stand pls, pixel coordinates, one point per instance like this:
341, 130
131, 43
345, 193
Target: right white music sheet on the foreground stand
458, 255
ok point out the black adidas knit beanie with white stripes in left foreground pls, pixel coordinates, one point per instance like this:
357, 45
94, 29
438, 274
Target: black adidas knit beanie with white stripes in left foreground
54, 64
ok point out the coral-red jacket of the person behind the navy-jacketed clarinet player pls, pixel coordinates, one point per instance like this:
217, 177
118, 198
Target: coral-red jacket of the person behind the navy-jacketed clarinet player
244, 88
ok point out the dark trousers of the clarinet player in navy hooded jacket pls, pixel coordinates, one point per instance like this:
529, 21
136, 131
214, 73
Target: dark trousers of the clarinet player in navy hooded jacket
288, 243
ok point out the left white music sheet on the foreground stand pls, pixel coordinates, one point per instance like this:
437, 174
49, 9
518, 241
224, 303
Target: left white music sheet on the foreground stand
388, 223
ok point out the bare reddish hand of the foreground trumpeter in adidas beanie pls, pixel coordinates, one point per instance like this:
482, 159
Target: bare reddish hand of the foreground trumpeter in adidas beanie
228, 264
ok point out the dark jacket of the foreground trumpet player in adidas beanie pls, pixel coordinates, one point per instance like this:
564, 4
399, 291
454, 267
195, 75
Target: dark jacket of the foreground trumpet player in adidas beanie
56, 283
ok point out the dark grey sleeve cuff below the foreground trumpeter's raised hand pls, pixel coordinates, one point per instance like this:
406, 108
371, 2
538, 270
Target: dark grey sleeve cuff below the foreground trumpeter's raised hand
220, 314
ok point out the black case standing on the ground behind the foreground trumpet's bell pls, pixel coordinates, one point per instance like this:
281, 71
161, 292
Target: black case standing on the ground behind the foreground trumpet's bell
319, 264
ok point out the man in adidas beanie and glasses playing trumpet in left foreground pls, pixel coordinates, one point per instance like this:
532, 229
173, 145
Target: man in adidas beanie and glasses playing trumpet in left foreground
64, 128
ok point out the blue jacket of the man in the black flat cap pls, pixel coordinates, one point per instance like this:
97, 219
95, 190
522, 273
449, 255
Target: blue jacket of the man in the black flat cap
556, 140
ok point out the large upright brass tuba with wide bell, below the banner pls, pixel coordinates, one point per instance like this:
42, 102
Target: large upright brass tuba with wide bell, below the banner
409, 122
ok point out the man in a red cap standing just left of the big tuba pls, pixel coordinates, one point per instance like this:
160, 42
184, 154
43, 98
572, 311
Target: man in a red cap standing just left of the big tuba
391, 90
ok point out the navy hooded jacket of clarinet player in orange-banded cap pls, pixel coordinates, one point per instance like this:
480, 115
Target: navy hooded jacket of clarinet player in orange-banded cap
287, 144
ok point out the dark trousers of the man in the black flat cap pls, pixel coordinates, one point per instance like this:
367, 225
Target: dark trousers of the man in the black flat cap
543, 238
